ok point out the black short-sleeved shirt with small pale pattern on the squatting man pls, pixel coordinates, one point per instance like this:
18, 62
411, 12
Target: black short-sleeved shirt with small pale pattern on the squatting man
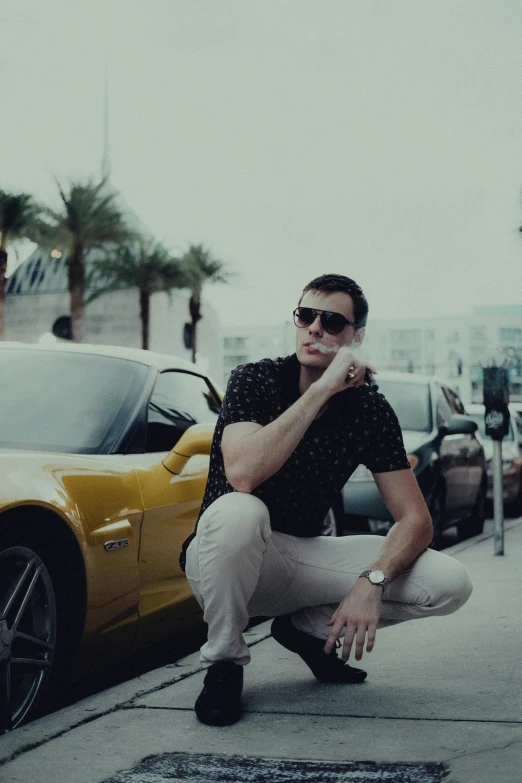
358, 426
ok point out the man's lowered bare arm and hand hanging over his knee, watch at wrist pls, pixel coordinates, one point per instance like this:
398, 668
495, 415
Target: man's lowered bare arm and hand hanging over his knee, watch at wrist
360, 610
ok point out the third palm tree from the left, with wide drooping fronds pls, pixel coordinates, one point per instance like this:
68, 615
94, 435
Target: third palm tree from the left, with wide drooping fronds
146, 266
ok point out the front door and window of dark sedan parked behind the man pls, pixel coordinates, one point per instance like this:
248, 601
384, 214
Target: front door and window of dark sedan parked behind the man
453, 460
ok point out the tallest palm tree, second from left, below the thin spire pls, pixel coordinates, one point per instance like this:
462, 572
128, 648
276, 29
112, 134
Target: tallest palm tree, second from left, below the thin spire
89, 220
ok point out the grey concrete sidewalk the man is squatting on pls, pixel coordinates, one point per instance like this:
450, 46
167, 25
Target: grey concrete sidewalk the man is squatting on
446, 690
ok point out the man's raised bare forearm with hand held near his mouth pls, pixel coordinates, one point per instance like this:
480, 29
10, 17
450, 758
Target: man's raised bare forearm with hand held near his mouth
253, 453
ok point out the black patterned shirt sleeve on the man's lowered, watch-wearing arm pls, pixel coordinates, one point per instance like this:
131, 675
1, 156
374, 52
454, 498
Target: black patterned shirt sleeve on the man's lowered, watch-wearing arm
384, 446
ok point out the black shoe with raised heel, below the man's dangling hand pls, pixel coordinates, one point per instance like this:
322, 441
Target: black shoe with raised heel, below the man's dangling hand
325, 667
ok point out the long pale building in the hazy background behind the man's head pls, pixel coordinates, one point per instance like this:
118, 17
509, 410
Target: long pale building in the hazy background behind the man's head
454, 348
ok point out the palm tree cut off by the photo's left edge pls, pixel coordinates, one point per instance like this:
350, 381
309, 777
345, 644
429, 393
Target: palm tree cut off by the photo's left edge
18, 212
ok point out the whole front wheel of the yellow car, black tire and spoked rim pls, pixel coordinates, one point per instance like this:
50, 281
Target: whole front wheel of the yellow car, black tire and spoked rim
37, 631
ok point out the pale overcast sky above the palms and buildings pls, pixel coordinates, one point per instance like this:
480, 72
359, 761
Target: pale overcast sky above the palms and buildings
381, 140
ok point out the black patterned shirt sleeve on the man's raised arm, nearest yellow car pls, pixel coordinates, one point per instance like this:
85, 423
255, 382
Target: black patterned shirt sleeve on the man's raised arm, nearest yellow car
246, 396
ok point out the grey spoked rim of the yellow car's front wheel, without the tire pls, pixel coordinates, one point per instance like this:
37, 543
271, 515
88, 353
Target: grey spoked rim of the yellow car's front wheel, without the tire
28, 621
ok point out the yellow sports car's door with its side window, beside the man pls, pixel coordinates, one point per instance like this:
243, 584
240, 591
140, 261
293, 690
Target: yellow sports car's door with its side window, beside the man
171, 503
